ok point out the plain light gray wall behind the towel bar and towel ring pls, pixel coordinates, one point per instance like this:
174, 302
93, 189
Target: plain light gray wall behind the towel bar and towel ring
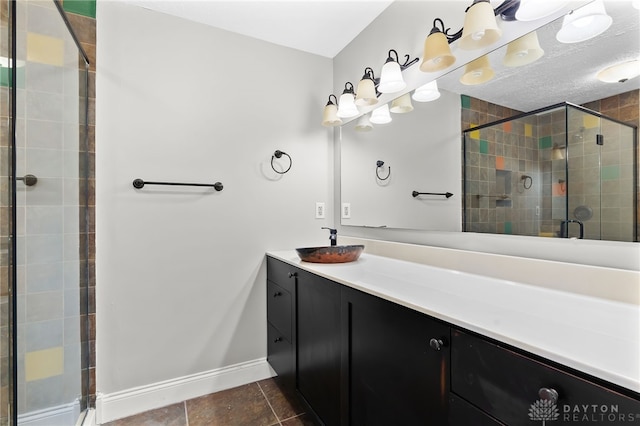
180, 272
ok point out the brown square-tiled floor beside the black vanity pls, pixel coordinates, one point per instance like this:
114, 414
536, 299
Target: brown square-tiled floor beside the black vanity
262, 403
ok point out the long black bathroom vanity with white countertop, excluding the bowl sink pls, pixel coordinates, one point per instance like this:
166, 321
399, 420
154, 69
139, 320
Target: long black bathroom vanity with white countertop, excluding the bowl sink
386, 342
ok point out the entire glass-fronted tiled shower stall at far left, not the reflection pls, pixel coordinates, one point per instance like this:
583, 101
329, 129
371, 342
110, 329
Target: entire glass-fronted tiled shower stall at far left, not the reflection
43, 233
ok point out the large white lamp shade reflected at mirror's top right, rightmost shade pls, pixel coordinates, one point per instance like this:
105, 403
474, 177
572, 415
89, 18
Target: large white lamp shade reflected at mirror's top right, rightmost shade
584, 23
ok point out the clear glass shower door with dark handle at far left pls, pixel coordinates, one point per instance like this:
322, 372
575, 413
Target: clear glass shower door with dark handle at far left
50, 115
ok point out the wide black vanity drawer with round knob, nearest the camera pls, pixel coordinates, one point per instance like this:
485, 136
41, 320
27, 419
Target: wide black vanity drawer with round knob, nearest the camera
507, 385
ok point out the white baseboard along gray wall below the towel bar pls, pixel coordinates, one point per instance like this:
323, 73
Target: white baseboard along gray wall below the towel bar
125, 403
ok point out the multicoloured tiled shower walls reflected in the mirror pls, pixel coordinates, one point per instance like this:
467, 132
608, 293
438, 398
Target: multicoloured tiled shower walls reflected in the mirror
508, 153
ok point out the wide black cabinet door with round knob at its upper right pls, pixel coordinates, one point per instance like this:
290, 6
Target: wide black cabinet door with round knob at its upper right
395, 376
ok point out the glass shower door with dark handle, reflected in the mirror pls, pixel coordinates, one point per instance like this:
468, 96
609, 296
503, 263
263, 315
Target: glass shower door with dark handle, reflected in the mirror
600, 187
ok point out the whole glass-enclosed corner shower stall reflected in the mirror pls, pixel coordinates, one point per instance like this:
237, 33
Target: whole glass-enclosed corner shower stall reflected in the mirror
563, 171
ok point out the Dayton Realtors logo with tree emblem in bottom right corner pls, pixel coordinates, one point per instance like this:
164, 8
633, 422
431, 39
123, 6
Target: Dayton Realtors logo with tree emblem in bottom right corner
546, 410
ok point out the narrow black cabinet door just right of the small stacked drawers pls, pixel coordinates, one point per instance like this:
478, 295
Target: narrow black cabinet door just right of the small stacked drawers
318, 345
